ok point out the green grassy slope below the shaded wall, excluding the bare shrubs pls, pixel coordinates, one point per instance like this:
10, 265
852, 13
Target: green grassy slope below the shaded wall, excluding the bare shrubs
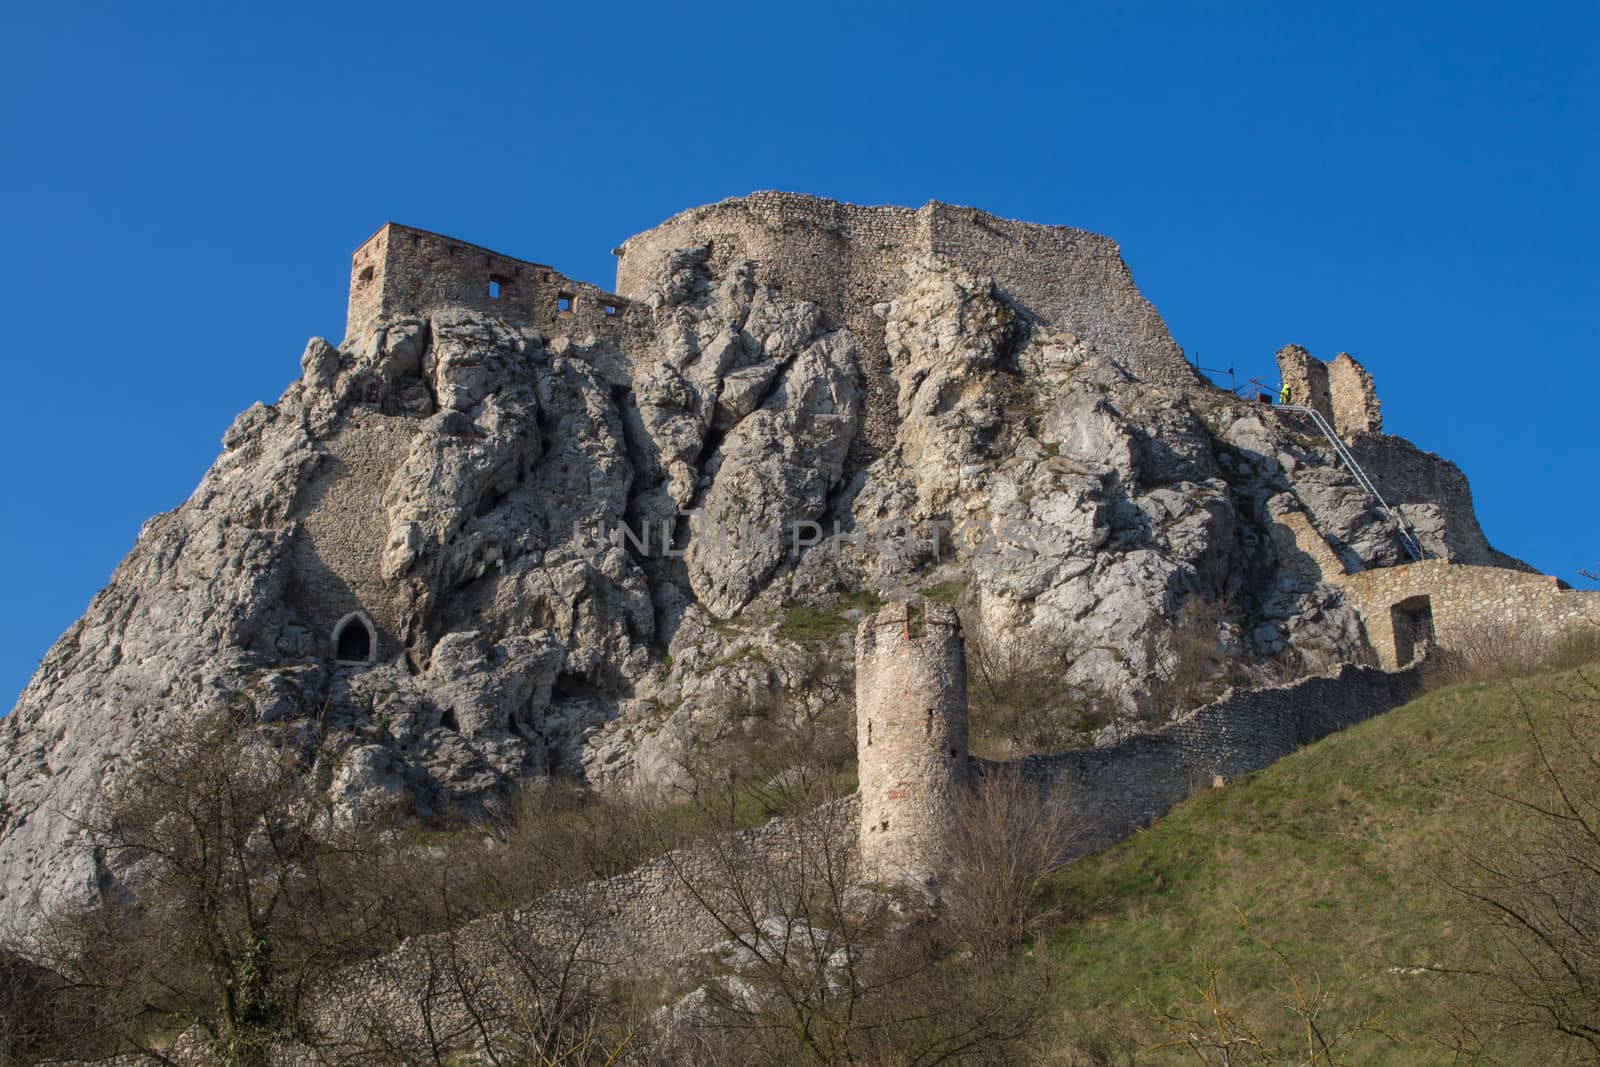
1332, 855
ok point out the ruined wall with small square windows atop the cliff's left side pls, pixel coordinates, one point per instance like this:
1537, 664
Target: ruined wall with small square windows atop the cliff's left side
407, 273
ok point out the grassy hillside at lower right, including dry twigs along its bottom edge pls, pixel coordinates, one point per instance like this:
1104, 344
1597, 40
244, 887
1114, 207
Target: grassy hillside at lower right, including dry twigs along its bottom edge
1337, 863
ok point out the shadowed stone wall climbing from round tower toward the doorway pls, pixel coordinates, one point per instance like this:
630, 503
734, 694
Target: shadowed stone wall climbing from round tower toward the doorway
1124, 788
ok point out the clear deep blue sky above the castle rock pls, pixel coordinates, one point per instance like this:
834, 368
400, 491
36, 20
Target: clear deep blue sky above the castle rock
183, 186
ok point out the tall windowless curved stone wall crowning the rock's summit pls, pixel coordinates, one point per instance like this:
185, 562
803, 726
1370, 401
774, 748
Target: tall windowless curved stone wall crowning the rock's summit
849, 258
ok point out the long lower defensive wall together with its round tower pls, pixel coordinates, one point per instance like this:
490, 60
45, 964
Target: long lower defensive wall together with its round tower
663, 913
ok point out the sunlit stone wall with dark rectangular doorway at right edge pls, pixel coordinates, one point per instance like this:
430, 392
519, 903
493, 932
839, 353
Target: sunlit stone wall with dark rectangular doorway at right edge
1463, 602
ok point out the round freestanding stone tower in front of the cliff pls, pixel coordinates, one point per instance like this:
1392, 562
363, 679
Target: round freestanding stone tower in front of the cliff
911, 738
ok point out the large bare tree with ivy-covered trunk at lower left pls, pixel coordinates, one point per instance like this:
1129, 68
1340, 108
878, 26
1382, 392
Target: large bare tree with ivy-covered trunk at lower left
242, 897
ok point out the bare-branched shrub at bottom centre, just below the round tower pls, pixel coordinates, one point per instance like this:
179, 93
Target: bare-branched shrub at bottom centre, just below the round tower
818, 967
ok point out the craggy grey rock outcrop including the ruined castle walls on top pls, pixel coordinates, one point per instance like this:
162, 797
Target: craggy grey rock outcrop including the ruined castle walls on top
577, 529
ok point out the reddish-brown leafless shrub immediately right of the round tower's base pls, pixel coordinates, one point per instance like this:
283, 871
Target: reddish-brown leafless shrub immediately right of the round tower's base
1006, 839
